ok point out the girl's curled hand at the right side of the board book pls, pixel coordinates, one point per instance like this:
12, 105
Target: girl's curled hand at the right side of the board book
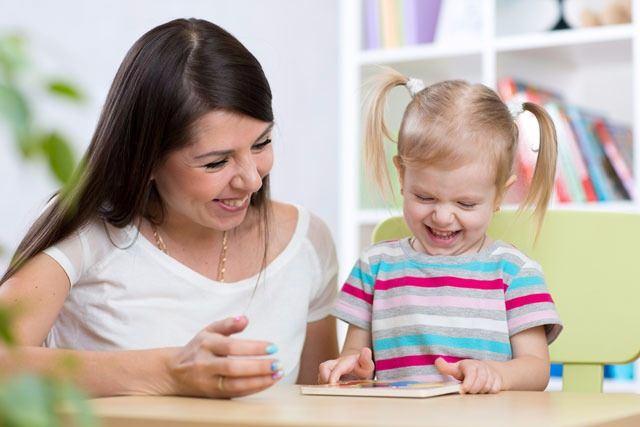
476, 376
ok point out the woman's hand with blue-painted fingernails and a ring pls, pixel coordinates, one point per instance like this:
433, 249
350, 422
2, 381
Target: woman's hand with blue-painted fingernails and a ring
202, 368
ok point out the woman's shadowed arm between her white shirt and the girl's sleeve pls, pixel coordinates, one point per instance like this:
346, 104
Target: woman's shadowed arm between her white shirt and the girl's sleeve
320, 344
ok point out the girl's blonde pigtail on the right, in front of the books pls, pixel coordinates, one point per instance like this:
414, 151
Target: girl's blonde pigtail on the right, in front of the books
544, 174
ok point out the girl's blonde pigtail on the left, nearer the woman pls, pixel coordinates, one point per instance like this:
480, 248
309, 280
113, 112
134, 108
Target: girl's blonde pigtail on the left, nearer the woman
375, 129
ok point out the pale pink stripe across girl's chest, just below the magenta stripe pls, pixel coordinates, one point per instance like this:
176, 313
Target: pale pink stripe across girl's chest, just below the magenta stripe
438, 301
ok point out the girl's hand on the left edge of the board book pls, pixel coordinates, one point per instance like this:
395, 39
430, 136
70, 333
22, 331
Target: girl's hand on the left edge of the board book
355, 366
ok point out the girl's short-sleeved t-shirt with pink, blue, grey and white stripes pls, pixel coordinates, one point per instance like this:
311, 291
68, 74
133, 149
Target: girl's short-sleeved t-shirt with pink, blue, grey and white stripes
420, 307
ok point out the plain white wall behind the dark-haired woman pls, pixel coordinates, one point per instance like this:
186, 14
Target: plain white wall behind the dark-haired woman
295, 40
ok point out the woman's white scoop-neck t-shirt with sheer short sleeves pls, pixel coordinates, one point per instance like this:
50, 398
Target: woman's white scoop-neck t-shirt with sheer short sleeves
126, 294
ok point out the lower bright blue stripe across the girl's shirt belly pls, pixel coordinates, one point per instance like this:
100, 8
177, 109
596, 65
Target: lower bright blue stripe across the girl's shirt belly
430, 340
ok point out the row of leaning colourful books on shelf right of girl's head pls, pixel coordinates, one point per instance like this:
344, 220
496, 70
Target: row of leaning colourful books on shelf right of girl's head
595, 155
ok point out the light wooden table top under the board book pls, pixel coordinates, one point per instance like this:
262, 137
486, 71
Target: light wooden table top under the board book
284, 406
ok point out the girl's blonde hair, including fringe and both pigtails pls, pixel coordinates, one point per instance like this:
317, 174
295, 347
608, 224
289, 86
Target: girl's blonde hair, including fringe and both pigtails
452, 123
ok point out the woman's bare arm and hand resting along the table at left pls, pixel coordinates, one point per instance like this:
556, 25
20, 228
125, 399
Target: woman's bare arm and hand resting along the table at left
38, 291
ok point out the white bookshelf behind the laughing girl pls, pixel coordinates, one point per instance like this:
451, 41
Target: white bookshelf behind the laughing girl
597, 68
